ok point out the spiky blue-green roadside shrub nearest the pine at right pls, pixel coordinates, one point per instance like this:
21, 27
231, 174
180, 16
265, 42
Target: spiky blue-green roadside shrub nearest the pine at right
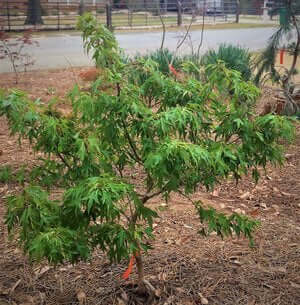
234, 57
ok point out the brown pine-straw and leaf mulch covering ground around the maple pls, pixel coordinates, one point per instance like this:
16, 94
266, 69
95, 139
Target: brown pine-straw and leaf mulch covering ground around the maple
185, 268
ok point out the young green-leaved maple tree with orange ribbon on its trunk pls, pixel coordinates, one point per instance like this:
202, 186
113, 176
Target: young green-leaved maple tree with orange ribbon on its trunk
177, 135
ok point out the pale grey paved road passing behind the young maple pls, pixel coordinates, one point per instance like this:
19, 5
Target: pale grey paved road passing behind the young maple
65, 50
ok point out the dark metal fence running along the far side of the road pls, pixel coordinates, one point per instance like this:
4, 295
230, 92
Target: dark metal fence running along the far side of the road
62, 14
